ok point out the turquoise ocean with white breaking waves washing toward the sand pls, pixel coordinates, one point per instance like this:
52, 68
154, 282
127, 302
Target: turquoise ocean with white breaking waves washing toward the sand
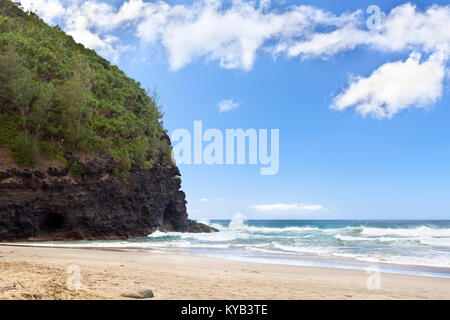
419, 247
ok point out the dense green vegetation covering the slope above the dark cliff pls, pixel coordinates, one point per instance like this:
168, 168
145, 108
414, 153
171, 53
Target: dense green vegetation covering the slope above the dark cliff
56, 96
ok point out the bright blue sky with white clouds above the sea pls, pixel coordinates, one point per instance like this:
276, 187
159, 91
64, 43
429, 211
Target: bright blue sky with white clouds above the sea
360, 99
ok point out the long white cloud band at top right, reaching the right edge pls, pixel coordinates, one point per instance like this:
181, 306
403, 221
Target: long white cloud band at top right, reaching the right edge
404, 28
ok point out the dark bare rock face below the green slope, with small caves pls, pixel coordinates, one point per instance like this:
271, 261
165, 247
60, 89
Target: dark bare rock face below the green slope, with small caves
52, 204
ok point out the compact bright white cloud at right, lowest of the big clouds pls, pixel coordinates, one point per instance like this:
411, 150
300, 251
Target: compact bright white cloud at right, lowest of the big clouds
395, 86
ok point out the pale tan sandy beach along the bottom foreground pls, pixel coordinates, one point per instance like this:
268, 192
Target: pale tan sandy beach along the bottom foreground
40, 273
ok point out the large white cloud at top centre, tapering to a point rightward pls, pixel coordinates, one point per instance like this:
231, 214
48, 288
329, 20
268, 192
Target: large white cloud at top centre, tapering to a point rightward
232, 36
